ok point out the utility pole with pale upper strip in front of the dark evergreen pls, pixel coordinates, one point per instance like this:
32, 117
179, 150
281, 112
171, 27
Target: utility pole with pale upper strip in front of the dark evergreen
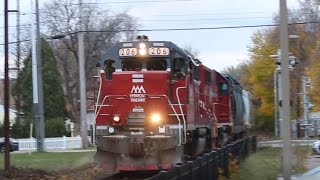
37, 85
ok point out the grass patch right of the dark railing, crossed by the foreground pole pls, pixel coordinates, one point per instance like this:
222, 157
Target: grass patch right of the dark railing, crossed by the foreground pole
266, 164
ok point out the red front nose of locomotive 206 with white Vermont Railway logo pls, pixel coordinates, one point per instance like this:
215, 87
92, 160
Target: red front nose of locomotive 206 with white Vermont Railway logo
146, 94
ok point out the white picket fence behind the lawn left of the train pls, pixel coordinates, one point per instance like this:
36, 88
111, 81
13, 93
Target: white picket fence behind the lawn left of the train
52, 143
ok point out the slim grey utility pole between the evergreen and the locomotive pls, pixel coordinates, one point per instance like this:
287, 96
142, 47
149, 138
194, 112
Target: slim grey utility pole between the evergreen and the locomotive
82, 81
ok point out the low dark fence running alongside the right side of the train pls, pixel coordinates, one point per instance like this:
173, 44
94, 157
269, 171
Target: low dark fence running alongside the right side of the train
215, 165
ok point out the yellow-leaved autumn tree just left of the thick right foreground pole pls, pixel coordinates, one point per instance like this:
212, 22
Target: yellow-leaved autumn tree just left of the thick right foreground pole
259, 76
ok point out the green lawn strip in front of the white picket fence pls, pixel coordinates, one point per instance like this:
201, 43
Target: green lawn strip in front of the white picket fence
53, 161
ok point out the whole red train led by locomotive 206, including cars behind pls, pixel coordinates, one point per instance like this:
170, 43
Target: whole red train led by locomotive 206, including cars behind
157, 106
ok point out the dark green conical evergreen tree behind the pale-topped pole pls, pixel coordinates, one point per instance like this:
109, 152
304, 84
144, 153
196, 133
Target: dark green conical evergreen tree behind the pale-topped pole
54, 102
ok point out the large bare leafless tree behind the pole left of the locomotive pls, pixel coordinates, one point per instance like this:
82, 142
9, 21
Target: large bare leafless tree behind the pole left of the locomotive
60, 18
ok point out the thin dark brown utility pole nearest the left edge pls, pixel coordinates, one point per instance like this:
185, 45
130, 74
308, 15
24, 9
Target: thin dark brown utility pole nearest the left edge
6, 90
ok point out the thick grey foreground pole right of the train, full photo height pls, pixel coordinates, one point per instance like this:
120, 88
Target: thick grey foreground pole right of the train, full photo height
286, 127
